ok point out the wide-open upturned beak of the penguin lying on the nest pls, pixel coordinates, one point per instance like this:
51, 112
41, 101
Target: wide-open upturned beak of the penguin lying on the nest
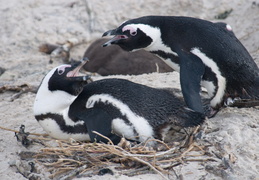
74, 74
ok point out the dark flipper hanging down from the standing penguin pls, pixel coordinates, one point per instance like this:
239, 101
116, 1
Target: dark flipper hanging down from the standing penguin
191, 72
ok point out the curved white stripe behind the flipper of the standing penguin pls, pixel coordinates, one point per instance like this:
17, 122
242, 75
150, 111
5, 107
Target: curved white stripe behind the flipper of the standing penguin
221, 80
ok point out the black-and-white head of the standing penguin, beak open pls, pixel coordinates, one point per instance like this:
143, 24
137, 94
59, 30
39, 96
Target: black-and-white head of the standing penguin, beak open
135, 34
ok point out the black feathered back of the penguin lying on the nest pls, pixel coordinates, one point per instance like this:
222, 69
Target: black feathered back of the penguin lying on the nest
157, 105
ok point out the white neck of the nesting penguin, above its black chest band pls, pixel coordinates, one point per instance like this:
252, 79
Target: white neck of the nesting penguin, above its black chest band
55, 102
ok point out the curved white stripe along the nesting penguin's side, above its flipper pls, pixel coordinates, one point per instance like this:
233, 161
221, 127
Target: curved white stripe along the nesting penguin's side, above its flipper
140, 124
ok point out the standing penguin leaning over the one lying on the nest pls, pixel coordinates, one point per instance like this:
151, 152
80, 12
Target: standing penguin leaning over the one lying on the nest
206, 54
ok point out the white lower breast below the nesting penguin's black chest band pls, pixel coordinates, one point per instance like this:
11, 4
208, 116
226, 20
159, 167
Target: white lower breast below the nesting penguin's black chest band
53, 129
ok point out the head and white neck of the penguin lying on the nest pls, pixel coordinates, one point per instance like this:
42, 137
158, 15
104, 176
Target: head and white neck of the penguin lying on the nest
59, 88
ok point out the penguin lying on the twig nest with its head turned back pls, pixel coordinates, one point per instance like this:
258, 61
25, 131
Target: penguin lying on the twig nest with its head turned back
69, 106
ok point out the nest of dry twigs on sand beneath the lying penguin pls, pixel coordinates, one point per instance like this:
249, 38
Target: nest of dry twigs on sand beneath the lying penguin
67, 159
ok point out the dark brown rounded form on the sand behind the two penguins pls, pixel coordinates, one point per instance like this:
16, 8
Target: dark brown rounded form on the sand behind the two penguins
113, 60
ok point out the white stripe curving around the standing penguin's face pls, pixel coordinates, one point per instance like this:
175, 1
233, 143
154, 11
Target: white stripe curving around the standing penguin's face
155, 34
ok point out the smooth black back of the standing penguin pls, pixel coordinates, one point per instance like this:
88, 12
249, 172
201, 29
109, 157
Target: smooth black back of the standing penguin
222, 46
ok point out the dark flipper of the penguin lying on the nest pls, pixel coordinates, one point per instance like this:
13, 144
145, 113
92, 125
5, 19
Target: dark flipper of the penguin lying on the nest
96, 119
